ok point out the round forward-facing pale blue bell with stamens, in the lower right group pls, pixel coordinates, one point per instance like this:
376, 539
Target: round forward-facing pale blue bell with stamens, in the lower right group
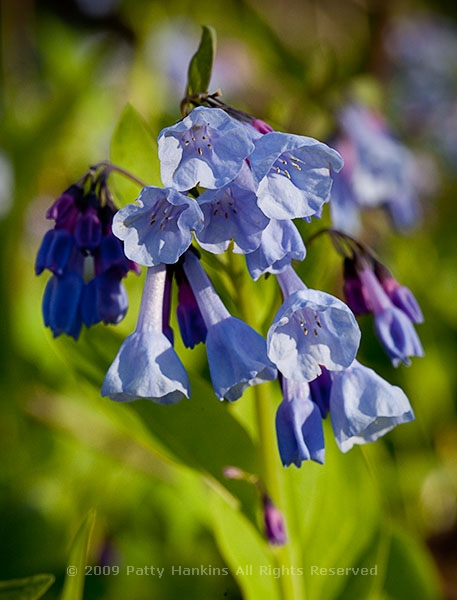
311, 328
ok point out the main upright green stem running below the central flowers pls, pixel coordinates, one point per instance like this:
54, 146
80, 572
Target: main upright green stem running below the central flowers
272, 472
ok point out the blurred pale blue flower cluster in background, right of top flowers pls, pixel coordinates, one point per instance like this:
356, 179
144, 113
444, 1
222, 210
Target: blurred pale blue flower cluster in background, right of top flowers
379, 171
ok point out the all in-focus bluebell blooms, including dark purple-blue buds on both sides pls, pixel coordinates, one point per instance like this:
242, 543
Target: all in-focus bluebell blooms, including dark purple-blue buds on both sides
231, 183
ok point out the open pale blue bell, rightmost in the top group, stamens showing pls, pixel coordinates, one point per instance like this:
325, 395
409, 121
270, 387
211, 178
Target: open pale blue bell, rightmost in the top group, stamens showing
293, 174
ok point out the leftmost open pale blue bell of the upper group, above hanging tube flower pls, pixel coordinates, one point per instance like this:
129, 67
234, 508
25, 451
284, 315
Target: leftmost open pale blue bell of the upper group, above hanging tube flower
158, 228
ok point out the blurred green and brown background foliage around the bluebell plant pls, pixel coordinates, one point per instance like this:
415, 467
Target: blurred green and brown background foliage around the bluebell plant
153, 474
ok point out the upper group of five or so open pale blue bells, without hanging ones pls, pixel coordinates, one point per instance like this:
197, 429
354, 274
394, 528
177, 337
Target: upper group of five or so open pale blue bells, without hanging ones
228, 184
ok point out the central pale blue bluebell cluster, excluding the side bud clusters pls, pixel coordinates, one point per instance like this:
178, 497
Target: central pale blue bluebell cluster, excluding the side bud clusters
236, 182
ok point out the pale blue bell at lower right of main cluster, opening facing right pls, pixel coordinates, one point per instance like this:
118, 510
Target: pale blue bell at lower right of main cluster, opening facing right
364, 407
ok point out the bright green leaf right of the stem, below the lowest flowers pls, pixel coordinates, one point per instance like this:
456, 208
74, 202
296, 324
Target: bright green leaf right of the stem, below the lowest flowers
335, 514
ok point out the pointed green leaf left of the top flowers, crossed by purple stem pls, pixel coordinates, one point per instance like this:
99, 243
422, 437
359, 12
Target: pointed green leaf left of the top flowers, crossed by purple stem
134, 149
